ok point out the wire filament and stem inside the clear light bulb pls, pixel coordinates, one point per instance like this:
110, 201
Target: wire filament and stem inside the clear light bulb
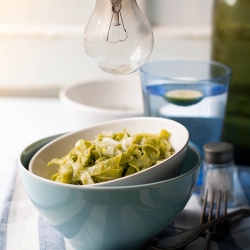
115, 19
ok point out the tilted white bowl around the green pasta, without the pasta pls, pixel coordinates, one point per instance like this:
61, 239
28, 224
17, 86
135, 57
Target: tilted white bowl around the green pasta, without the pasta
168, 168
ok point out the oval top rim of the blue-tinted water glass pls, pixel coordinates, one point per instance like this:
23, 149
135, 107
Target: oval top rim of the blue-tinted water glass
208, 62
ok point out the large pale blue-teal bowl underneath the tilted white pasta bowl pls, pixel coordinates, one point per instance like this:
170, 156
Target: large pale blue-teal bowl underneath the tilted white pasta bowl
109, 218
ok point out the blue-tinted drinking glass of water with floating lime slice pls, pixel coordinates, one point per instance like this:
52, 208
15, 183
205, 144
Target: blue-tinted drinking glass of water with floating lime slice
192, 92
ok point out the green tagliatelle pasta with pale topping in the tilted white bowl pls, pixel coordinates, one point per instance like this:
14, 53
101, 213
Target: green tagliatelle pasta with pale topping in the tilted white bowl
110, 156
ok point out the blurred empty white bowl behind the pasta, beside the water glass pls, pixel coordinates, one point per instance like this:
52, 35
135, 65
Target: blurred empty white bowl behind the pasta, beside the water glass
90, 103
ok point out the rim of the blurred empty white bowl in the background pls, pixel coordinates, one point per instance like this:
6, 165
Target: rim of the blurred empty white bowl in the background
65, 99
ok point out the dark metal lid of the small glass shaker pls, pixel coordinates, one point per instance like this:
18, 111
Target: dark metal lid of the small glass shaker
218, 152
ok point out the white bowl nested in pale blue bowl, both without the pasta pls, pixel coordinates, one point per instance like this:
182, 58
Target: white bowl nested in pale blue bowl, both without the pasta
119, 214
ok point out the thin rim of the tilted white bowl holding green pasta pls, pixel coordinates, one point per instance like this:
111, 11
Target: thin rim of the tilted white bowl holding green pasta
184, 147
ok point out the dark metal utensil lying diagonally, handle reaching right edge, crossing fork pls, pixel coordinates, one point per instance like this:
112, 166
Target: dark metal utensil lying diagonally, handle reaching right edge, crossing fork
178, 240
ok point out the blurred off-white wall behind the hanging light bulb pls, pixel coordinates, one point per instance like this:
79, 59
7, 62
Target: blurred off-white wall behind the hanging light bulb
41, 41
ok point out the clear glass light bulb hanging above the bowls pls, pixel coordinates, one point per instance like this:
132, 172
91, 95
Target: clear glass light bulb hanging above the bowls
118, 38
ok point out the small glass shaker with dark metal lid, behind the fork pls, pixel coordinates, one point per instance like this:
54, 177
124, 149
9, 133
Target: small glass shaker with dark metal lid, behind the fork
218, 170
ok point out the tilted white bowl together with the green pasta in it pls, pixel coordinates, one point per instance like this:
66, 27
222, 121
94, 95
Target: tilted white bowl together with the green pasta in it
148, 150
